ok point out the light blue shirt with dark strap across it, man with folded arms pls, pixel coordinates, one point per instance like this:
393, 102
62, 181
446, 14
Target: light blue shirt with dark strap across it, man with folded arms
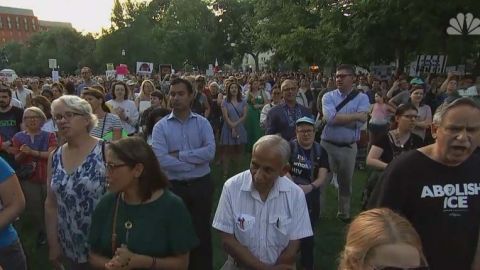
344, 133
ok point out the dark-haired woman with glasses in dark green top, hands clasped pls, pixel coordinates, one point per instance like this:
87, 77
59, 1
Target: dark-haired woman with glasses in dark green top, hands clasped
140, 224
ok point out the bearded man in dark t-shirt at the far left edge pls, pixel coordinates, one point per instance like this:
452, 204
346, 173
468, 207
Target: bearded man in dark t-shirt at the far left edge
10, 123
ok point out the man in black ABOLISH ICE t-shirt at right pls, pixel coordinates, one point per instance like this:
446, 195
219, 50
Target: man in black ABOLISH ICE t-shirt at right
437, 188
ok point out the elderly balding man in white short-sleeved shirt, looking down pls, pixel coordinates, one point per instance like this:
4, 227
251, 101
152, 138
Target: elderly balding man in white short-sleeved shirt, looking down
262, 215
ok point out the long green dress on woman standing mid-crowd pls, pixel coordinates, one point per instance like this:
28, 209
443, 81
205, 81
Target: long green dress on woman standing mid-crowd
252, 122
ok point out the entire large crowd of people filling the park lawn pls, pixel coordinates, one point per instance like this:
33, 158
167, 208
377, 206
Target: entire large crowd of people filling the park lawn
116, 174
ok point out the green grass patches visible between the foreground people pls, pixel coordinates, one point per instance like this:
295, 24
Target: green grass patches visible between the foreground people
329, 236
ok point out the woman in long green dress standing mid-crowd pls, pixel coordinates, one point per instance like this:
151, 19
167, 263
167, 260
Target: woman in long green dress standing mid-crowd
256, 98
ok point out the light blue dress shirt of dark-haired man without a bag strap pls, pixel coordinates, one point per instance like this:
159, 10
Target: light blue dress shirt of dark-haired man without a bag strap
193, 139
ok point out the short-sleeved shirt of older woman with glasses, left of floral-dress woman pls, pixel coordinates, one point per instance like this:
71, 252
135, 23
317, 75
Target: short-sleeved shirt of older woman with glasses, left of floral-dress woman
41, 142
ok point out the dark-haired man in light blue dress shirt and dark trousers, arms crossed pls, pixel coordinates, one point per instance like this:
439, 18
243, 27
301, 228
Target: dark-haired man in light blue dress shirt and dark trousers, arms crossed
184, 145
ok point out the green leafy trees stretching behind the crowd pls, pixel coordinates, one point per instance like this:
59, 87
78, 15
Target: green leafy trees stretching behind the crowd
300, 32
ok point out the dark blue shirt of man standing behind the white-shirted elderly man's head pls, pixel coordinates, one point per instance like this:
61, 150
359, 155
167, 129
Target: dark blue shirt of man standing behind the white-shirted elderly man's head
281, 119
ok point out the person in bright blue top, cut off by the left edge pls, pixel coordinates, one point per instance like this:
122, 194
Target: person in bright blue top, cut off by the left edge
12, 203
